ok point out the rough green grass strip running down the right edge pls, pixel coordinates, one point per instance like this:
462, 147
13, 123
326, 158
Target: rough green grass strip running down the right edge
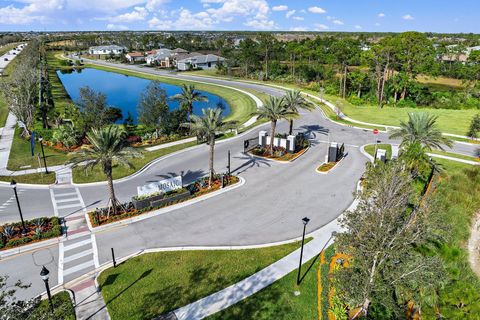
458, 199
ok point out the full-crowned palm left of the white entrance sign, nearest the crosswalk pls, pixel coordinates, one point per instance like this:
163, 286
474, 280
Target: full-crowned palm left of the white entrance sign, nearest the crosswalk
108, 146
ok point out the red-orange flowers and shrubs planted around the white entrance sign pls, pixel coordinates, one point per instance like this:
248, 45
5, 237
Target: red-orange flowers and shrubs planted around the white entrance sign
193, 190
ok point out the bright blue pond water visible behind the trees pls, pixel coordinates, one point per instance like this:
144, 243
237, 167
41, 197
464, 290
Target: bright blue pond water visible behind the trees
124, 91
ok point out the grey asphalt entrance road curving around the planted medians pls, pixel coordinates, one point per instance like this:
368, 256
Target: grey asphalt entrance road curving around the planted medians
268, 208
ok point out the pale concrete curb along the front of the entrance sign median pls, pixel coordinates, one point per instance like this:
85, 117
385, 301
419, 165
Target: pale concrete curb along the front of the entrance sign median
164, 210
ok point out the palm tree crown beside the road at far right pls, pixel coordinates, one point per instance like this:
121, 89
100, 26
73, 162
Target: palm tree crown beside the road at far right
421, 129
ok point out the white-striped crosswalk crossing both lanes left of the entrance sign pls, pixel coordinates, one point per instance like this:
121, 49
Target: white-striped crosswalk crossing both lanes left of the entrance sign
77, 253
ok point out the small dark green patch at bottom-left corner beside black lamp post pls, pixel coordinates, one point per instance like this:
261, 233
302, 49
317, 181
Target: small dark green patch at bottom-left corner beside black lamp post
62, 306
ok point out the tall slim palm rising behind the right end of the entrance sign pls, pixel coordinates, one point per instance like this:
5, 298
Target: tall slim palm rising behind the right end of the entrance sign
208, 125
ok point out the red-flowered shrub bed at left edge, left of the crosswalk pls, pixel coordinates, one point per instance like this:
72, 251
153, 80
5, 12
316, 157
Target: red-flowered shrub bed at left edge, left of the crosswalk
37, 230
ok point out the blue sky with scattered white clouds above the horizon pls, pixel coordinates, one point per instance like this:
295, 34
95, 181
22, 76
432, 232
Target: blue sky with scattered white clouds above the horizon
270, 15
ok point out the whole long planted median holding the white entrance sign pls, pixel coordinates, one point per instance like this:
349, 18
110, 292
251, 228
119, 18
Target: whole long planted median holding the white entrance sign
150, 204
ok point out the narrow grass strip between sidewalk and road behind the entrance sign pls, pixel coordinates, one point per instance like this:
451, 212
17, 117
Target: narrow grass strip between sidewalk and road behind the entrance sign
96, 174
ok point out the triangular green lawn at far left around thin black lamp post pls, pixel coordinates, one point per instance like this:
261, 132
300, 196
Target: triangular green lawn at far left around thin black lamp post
21, 156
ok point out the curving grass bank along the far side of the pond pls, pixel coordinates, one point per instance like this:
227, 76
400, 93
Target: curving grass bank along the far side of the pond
241, 105
